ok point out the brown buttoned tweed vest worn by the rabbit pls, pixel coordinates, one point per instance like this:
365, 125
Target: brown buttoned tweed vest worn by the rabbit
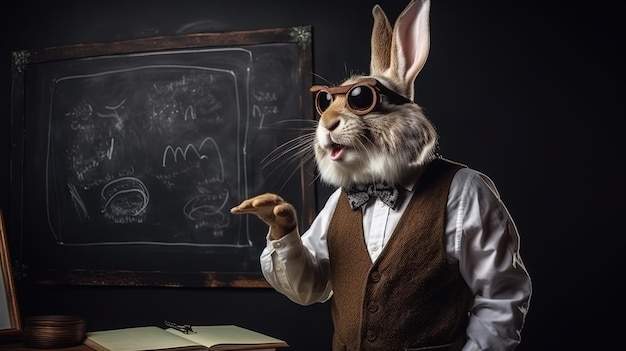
410, 297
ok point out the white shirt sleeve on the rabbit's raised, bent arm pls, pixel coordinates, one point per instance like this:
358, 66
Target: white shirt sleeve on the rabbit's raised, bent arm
297, 267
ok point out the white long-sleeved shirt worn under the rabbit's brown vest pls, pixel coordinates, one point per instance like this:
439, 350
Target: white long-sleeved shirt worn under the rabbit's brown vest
480, 236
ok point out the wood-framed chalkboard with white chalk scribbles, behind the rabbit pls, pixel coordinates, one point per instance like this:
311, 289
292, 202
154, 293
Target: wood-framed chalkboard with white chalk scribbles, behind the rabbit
52, 248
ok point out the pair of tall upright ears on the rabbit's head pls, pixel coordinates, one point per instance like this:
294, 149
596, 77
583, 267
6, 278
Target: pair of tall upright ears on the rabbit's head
400, 54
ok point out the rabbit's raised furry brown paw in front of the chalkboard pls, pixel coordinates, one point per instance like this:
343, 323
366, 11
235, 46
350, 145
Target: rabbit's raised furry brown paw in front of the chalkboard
272, 209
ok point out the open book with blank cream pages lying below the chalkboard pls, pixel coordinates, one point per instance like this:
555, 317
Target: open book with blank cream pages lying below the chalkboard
203, 338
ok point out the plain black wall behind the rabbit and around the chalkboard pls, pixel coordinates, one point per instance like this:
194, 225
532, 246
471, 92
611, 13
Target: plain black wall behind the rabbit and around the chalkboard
529, 93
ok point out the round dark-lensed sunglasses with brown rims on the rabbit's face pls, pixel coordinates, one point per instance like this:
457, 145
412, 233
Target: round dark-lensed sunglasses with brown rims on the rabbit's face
361, 97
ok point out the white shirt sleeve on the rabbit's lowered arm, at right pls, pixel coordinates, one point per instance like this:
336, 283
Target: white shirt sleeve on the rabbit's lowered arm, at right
486, 244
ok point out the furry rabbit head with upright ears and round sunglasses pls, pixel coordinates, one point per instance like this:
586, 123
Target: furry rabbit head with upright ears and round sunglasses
369, 128
